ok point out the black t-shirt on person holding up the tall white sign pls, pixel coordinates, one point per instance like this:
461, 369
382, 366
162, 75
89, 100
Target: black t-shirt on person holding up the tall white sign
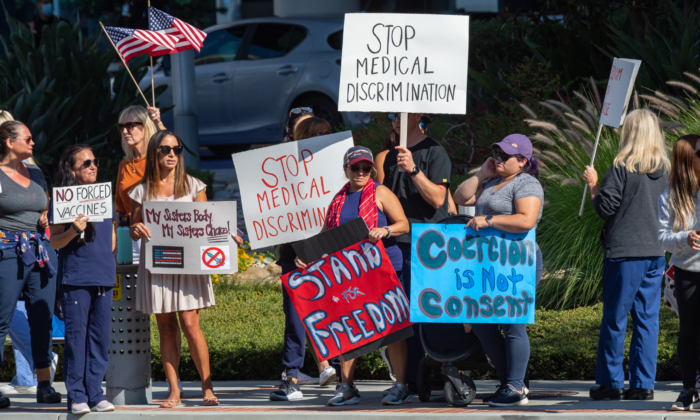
433, 160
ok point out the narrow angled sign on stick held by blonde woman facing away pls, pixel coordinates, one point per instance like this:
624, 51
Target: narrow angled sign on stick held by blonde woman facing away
617, 95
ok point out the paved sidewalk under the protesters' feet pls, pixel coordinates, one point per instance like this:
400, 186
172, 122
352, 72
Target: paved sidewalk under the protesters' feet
249, 400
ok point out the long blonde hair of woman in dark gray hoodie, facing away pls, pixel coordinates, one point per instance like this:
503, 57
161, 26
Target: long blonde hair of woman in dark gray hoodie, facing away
642, 144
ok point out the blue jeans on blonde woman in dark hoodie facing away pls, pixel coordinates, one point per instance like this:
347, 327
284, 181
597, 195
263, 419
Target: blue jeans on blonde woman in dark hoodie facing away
630, 285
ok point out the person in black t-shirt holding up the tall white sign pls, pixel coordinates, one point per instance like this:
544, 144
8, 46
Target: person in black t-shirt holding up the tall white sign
419, 175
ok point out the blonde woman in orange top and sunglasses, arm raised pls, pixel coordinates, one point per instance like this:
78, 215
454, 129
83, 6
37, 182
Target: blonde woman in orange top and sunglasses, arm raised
136, 126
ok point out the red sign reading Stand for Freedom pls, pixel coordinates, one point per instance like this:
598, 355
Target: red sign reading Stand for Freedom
348, 299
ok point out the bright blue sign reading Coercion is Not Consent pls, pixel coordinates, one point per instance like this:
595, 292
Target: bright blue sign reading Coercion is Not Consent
462, 275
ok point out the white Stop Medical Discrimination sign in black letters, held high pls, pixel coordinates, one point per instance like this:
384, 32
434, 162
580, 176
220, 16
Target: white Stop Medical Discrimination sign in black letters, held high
404, 63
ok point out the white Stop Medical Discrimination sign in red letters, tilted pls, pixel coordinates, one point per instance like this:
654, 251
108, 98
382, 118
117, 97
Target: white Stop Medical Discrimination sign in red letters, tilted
286, 189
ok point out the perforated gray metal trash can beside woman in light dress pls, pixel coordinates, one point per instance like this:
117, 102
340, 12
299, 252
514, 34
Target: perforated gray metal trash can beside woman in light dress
129, 368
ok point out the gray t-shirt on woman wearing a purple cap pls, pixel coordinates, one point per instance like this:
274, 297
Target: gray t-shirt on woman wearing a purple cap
502, 202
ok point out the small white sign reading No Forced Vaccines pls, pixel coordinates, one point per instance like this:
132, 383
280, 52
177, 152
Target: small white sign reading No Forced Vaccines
93, 200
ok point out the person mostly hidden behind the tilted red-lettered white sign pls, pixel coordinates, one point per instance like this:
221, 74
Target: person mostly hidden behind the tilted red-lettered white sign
294, 348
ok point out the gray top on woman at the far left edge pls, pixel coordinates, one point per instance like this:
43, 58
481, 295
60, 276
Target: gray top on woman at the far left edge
21, 208
